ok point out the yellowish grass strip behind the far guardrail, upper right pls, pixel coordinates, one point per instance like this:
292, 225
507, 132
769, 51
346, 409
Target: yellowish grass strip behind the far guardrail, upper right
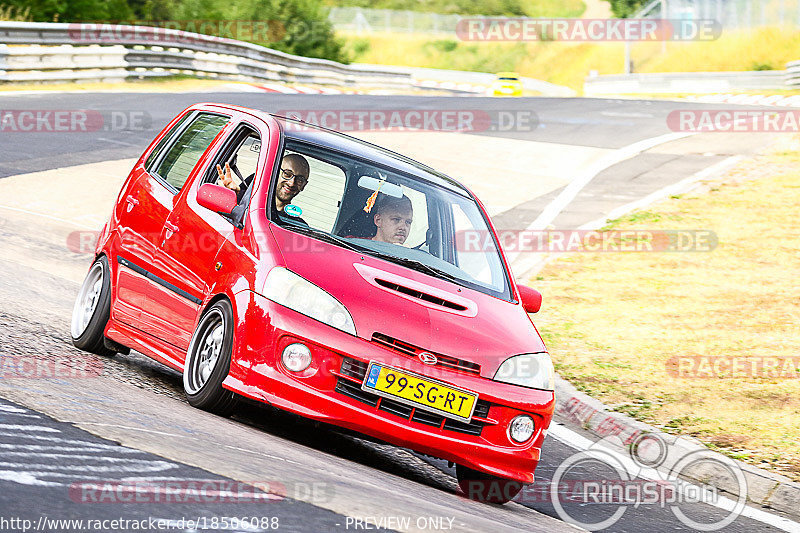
569, 63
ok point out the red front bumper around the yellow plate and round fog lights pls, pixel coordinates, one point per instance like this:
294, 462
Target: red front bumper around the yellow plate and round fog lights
330, 391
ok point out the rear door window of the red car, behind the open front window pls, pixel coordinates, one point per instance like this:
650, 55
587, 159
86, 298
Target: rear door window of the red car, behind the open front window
184, 154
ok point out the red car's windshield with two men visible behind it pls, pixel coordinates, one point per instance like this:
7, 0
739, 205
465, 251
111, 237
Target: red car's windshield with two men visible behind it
388, 213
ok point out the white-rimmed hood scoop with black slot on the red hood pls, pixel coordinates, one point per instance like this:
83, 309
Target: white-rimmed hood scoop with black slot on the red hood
418, 292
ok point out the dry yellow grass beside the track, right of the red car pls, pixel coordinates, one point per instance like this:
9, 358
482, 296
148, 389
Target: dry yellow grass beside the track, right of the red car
616, 322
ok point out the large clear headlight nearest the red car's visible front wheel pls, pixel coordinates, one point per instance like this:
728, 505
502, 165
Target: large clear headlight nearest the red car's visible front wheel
290, 290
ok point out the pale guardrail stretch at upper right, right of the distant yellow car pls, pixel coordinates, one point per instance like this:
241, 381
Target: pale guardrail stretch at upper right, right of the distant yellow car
692, 82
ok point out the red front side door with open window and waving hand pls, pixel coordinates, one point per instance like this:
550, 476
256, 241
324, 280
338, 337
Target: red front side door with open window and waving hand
187, 256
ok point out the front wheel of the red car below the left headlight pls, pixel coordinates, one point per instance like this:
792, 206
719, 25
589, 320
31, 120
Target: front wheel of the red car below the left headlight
207, 365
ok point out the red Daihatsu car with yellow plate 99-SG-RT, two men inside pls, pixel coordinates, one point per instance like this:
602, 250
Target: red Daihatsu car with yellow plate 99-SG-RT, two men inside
270, 259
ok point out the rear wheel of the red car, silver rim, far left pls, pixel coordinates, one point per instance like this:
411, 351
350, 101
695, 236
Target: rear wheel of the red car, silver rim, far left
92, 308
